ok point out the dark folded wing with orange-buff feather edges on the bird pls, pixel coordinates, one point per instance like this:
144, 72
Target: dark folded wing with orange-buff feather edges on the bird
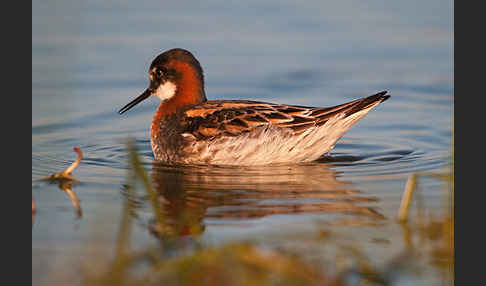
235, 117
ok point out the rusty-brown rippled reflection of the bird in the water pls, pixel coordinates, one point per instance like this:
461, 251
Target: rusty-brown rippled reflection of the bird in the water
189, 194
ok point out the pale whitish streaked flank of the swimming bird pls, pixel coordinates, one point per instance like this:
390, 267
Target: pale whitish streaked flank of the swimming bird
272, 145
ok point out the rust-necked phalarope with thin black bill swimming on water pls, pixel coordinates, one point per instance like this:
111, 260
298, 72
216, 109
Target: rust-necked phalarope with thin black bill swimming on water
189, 129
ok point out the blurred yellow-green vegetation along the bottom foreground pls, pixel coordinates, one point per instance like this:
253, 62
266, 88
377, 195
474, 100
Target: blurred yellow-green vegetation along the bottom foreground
256, 263
